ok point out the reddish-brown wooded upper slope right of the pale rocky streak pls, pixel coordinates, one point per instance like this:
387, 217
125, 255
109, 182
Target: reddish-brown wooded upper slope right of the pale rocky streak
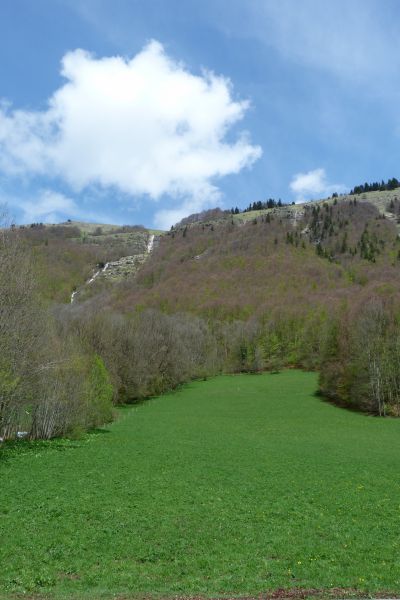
294, 257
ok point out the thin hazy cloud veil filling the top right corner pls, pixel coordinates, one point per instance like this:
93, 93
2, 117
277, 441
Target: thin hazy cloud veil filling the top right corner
354, 39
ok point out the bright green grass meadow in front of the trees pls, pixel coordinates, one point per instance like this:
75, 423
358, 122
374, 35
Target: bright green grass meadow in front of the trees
236, 485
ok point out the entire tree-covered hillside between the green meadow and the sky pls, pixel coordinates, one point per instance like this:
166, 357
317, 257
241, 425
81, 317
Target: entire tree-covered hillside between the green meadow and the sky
313, 286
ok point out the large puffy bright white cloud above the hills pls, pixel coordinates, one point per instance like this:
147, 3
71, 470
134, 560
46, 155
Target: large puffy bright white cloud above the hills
146, 126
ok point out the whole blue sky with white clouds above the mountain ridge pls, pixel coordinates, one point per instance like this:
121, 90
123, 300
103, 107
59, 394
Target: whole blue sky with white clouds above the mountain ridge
145, 111
